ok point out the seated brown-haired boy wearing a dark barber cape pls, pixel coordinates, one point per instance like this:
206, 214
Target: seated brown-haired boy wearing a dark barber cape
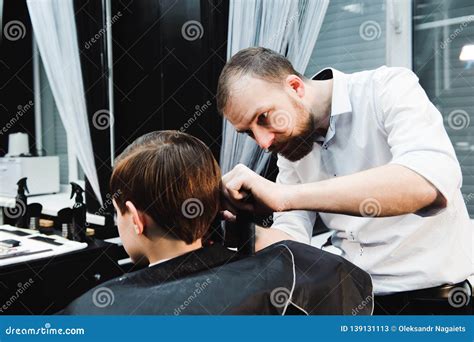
166, 187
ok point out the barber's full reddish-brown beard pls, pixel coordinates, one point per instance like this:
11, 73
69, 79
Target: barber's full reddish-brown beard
298, 147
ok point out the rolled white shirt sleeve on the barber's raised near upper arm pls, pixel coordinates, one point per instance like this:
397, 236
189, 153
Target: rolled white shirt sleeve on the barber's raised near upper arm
415, 130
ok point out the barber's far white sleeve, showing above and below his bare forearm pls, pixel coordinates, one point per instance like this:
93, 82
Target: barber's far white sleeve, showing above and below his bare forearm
297, 223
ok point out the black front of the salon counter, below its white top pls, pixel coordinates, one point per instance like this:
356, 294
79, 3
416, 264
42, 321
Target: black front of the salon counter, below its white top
47, 285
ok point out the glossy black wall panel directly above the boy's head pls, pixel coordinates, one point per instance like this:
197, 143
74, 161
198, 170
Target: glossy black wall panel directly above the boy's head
162, 78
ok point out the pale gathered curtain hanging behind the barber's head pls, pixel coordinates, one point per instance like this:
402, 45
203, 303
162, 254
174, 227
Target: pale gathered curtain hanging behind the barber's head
290, 27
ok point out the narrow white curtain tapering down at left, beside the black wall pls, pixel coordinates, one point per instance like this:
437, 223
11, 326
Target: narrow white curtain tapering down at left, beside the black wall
54, 28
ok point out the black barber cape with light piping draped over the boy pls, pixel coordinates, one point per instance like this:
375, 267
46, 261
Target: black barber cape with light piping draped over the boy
285, 278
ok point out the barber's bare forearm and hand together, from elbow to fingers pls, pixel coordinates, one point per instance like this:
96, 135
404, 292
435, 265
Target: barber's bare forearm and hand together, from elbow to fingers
383, 191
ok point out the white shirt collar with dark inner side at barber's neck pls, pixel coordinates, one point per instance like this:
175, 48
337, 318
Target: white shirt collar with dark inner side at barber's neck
340, 102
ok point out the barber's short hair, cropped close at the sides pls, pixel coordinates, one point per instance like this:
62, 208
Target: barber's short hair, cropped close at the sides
255, 61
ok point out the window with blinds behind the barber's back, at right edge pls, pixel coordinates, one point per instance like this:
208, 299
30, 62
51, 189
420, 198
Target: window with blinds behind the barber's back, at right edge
443, 50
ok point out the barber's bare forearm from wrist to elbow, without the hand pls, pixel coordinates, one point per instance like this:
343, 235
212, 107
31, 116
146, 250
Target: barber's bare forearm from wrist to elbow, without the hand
383, 191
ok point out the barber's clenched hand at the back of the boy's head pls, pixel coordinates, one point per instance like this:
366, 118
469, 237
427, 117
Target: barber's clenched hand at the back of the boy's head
243, 189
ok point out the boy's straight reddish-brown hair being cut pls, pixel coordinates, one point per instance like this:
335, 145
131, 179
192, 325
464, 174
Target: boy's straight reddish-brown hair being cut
174, 178
